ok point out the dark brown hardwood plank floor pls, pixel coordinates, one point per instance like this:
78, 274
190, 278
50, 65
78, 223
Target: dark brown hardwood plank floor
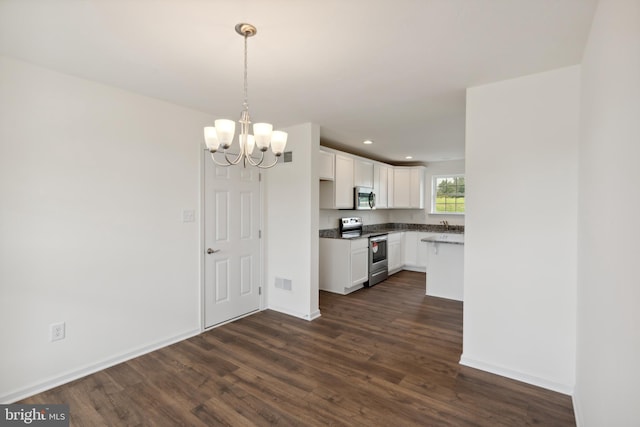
385, 356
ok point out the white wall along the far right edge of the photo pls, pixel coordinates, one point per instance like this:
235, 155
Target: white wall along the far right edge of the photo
608, 339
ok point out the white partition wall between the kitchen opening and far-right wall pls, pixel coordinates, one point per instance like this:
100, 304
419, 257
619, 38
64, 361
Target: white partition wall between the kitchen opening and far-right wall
521, 231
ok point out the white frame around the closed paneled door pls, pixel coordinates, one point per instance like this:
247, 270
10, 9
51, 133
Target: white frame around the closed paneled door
205, 156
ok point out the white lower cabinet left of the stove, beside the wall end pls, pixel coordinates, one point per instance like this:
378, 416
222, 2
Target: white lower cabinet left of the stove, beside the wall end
344, 264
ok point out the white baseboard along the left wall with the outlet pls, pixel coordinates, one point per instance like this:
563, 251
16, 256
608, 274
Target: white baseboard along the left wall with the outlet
91, 369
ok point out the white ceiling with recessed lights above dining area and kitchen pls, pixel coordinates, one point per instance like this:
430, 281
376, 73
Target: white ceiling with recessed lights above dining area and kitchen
392, 71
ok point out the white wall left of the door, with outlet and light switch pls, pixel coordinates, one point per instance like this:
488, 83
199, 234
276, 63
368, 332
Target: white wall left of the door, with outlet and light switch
93, 181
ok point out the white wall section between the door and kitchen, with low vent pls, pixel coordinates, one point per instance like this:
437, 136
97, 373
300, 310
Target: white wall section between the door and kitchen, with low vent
292, 197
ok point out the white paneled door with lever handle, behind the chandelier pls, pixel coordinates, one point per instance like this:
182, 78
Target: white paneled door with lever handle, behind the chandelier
232, 245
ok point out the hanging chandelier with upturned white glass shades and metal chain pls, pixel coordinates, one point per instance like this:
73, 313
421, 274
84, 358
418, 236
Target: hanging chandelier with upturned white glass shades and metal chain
219, 138
